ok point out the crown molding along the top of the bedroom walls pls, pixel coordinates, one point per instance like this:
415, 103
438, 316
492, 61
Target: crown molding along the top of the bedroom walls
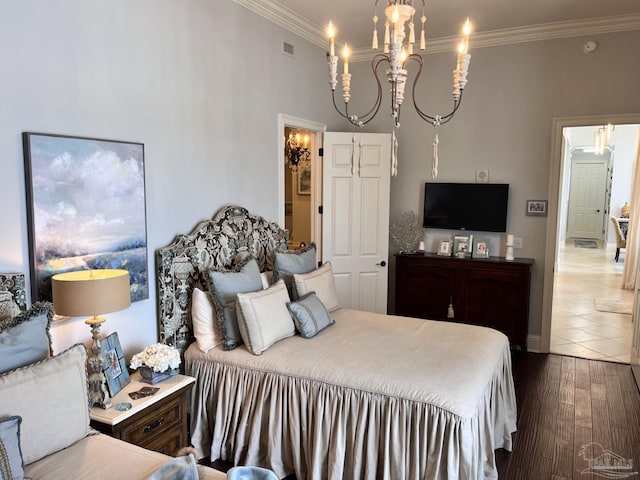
291, 21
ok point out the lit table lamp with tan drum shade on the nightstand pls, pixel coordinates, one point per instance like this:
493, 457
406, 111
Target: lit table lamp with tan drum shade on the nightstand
91, 293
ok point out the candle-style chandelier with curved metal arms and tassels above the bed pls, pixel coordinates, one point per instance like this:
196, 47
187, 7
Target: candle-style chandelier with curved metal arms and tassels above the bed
397, 54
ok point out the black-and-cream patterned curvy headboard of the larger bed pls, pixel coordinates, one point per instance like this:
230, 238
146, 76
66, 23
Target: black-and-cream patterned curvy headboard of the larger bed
231, 235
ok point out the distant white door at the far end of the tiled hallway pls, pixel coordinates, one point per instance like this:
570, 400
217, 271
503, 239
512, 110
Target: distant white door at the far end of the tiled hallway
587, 196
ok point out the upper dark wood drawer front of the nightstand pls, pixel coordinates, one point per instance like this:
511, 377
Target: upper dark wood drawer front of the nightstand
157, 421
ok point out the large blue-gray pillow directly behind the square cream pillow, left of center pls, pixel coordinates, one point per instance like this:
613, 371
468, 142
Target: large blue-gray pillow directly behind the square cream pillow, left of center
225, 285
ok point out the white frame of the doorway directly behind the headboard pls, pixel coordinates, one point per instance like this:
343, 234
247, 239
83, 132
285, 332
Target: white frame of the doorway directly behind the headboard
318, 130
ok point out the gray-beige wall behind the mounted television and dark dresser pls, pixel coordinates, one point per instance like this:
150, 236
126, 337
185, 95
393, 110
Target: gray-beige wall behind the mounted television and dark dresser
505, 124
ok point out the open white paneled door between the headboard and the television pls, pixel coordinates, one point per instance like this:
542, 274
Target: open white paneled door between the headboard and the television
355, 221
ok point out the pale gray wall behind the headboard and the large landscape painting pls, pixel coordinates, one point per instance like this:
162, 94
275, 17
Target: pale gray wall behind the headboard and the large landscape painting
199, 82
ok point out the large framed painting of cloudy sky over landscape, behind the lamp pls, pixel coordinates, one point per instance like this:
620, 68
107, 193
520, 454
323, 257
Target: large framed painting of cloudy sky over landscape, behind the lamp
86, 209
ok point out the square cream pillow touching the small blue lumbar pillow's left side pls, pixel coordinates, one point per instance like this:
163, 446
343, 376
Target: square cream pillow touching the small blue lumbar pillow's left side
263, 317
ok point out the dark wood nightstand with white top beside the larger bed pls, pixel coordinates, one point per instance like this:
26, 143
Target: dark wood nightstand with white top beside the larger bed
157, 422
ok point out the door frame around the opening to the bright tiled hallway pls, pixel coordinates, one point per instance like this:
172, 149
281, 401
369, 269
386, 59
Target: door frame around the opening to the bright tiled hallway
555, 191
